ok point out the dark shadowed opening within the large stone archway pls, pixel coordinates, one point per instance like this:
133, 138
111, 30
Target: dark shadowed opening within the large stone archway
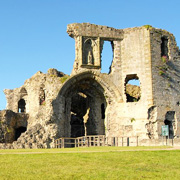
84, 108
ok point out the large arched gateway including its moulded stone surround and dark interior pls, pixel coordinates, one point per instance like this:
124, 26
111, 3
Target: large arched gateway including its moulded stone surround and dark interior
83, 102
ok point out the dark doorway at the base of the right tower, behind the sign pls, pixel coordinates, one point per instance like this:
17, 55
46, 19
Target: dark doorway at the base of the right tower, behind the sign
169, 120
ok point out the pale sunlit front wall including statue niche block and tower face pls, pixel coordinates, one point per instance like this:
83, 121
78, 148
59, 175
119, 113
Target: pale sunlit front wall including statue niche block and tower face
131, 59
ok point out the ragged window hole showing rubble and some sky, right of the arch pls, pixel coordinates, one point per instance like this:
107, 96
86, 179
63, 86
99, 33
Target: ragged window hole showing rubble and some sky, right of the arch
132, 88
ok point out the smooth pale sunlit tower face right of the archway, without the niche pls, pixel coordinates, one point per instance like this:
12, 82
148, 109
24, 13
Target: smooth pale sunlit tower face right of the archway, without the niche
134, 63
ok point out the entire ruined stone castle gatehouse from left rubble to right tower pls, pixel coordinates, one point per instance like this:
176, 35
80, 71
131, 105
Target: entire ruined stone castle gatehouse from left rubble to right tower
53, 105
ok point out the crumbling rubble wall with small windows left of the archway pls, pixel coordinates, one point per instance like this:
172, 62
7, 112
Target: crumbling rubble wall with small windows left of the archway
37, 93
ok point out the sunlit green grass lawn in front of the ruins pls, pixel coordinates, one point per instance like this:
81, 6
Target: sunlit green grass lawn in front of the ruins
90, 163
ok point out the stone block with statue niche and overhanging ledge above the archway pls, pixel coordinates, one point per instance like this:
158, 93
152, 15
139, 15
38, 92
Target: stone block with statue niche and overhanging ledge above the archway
89, 40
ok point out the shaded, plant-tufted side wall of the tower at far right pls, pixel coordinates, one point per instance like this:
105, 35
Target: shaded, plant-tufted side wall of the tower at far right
165, 79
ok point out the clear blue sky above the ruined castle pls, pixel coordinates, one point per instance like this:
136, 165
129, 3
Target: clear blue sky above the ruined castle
33, 32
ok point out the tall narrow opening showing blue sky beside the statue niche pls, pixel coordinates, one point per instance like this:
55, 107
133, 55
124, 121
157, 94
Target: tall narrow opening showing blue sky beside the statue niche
107, 57
